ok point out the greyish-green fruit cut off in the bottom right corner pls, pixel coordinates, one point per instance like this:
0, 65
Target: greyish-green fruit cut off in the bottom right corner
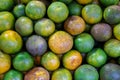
110, 71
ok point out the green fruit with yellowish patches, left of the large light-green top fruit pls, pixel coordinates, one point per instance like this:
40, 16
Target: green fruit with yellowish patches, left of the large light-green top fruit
35, 10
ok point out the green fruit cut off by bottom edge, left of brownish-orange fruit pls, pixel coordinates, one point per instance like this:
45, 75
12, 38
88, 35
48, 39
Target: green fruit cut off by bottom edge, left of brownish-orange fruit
13, 75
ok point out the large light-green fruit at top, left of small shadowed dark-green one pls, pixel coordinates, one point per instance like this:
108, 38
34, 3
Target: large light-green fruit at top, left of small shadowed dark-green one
60, 11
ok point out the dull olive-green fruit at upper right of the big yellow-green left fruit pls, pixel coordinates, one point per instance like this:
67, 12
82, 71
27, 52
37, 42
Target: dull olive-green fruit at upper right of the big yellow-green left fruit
24, 26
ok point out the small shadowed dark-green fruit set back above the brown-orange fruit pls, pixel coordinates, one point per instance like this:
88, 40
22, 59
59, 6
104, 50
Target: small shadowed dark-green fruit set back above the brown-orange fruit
74, 8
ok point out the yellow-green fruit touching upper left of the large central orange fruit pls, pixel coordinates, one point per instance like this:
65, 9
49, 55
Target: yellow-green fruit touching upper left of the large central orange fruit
44, 27
